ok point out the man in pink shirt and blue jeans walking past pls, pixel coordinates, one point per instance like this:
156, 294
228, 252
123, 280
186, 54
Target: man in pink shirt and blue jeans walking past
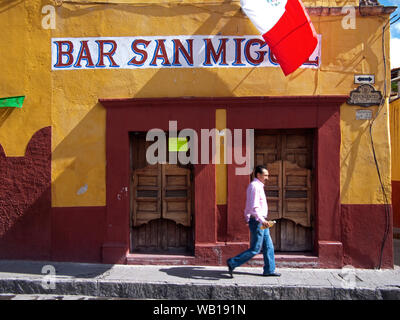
255, 213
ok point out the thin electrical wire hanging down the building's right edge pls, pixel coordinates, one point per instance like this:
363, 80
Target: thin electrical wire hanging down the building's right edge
387, 209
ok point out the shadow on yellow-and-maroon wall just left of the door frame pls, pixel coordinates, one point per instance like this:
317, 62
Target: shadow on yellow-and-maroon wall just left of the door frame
78, 229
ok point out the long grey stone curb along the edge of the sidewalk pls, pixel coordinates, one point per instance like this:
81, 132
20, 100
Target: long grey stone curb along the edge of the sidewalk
135, 290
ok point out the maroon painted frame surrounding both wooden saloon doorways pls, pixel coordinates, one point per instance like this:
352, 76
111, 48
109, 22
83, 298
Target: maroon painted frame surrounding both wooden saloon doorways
319, 112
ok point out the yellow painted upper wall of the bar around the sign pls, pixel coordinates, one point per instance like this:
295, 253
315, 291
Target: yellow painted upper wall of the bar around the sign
68, 100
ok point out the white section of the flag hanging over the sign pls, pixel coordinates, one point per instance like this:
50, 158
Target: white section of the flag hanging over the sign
264, 14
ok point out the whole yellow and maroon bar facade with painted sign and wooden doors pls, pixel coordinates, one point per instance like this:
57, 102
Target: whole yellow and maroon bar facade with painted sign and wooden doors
76, 183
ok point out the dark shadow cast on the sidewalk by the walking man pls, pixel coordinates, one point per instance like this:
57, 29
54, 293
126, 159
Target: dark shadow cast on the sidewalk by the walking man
202, 273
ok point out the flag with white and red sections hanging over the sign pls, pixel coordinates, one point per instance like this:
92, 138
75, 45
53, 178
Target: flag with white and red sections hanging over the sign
286, 28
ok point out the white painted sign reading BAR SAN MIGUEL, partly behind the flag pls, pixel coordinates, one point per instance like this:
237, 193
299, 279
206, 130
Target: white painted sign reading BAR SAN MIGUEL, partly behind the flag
192, 51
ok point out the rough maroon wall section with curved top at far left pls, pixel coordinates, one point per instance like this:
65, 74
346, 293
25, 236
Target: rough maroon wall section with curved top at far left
25, 200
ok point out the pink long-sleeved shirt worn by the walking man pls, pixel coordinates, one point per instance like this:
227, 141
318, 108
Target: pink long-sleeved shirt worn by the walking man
256, 202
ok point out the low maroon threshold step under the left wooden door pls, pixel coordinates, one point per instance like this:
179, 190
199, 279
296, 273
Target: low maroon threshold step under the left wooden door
160, 259
